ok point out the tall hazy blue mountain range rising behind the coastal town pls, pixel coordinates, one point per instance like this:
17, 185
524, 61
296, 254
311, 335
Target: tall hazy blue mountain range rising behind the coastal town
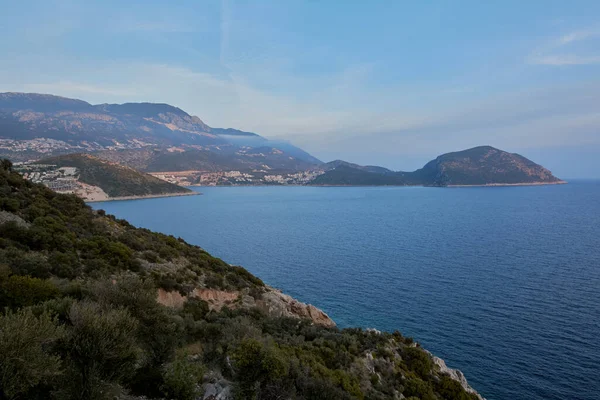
37, 125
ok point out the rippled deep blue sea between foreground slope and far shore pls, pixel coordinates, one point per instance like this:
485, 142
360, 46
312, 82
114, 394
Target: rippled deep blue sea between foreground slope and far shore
501, 282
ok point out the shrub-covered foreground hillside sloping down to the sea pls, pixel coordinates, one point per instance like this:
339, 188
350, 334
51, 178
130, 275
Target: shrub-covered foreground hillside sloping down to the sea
95, 308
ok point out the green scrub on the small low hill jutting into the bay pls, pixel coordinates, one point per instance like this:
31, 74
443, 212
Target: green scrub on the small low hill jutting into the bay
115, 180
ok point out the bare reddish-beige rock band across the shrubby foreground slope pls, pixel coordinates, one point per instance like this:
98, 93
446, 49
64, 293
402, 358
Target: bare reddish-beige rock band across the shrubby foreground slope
272, 301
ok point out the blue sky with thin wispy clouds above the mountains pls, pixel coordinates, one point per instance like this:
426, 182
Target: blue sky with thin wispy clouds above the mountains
391, 83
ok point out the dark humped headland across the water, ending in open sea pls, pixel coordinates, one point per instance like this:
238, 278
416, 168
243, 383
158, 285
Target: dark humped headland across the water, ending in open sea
483, 165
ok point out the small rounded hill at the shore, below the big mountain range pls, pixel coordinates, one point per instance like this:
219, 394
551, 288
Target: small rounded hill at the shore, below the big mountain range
112, 179
